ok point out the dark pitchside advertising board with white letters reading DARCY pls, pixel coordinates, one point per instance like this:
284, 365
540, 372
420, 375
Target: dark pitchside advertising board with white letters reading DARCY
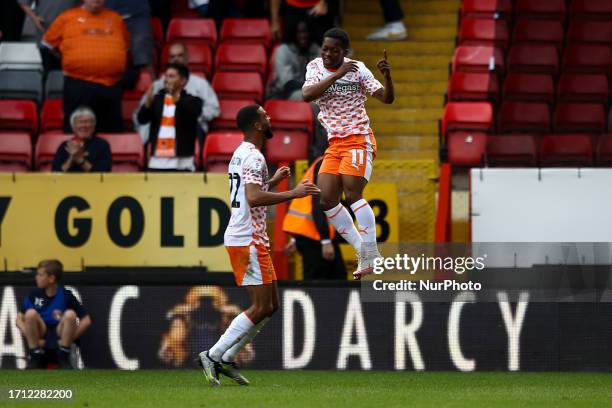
329, 327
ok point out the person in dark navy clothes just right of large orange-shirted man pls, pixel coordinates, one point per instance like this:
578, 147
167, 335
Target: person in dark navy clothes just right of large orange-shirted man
137, 17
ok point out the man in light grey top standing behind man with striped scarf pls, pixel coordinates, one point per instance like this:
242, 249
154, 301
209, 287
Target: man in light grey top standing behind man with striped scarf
196, 86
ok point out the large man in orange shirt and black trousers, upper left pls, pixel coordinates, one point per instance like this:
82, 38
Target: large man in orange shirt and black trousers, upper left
93, 42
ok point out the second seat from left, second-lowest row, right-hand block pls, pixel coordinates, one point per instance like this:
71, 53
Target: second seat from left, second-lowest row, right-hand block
524, 117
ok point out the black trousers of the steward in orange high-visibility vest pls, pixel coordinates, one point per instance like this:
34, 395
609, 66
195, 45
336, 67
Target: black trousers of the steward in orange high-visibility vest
315, 267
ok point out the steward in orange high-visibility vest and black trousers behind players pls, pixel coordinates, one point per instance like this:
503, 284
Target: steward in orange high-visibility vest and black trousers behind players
313, 237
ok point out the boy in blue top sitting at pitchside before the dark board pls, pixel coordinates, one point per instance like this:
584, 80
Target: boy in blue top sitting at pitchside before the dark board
48, 318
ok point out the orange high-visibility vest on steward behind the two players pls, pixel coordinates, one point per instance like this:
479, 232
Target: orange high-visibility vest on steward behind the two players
299, 218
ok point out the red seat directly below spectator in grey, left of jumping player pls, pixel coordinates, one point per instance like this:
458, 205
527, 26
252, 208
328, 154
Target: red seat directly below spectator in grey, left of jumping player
294, 115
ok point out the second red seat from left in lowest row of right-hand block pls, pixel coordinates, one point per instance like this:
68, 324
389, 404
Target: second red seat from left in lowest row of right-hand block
512, 150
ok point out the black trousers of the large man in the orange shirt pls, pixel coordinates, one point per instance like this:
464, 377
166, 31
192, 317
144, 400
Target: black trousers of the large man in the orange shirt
105, 101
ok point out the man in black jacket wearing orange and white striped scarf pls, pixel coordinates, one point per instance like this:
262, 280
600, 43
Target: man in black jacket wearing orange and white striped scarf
173, 114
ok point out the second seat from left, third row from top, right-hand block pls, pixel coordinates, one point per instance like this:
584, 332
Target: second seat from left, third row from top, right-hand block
536, 58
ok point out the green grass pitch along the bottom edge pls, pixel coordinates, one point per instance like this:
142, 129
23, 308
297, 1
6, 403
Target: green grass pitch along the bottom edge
186, 388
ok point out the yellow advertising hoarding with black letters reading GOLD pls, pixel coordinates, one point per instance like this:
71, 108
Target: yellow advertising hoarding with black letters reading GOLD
114, 219
